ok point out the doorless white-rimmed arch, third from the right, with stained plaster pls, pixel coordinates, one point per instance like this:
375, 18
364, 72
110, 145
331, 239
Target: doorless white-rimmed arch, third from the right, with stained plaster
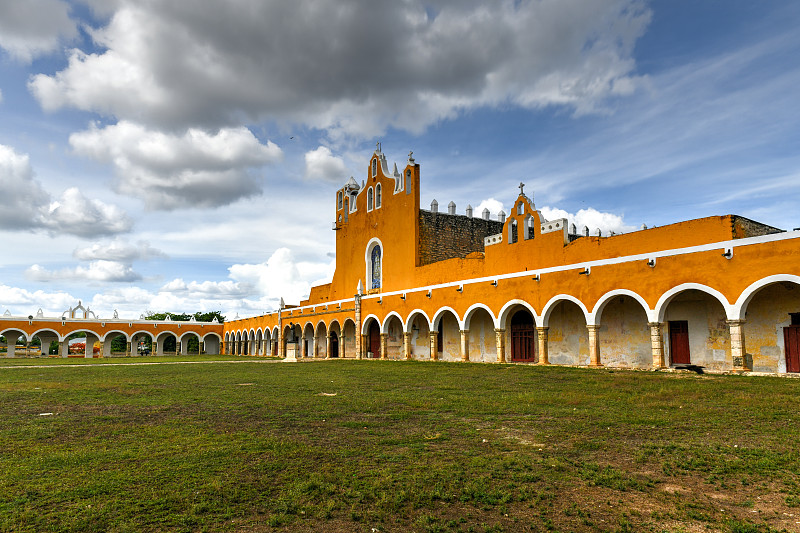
623, 317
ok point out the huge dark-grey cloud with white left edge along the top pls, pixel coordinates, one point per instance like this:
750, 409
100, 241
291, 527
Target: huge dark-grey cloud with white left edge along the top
349, 67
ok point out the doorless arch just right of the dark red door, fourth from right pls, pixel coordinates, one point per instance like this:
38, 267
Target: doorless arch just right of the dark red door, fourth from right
568, 337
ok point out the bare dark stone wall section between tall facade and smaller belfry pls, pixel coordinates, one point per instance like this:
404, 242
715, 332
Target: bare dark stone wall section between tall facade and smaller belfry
443, 236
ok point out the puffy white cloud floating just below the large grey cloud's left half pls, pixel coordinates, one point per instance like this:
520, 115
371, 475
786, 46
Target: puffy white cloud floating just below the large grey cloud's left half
169, 171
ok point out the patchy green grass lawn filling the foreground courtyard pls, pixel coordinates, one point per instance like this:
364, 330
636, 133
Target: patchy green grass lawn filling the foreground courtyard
394, 446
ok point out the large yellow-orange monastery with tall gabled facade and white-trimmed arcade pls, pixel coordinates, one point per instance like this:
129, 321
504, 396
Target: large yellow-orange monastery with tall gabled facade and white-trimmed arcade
722, 293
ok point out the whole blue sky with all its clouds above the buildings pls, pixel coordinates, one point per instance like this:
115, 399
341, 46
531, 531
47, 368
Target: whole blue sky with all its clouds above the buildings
155, 156
